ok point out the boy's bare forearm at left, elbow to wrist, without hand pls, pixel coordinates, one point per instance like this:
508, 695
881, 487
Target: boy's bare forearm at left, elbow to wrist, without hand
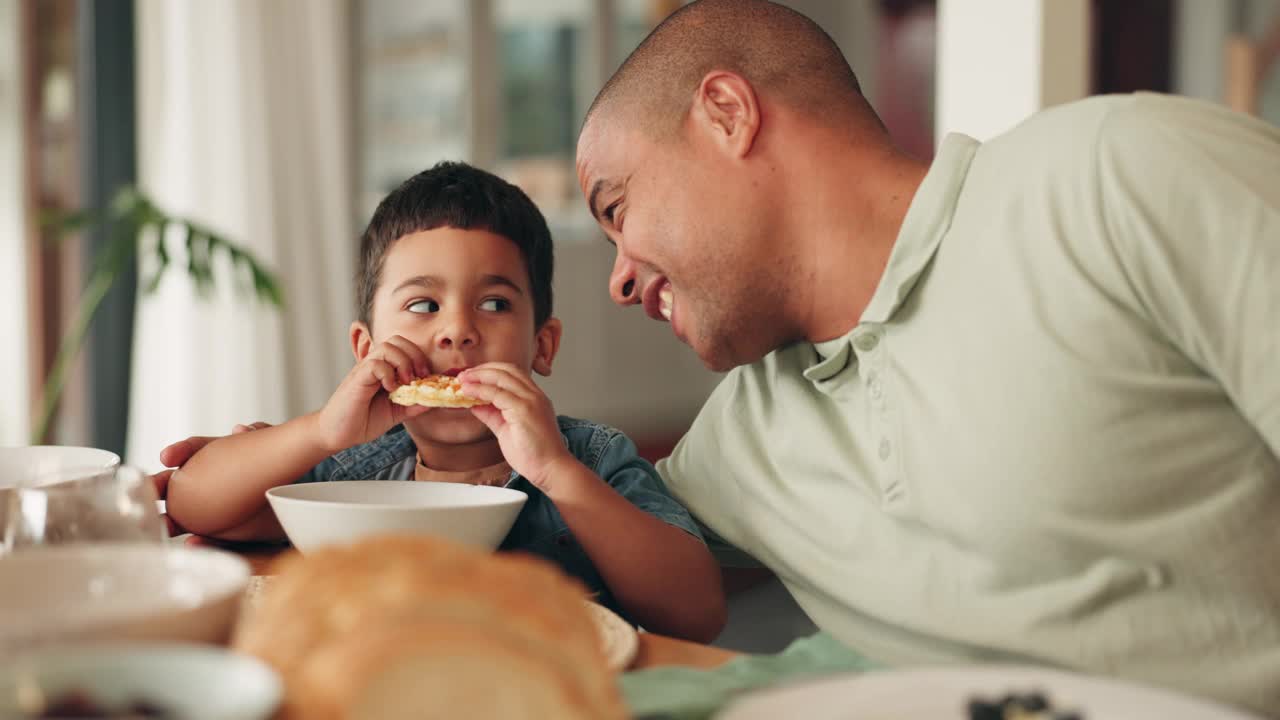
225, 485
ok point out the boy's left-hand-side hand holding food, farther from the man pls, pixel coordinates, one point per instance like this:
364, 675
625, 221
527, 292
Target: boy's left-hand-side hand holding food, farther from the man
362, 408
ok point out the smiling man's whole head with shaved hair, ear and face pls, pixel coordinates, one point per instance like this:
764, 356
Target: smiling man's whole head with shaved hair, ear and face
706, 158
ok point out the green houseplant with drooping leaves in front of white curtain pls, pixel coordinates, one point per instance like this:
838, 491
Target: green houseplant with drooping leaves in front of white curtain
135, 226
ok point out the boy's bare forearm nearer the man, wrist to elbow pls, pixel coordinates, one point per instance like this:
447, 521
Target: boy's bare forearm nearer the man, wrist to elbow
664, 576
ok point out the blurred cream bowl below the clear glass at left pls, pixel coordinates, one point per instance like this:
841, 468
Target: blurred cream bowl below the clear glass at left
120, 593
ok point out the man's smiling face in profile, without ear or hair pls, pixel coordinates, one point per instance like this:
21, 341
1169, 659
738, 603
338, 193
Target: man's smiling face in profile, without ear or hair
696, 240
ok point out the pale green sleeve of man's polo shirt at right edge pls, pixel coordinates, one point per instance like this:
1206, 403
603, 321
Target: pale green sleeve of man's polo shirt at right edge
1191, 195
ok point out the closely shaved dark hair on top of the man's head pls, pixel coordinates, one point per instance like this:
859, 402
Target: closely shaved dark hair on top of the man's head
776, 49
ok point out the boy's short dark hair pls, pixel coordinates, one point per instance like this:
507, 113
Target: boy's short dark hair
456, 195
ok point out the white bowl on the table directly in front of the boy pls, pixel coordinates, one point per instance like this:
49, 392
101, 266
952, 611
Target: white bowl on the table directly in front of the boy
318, 514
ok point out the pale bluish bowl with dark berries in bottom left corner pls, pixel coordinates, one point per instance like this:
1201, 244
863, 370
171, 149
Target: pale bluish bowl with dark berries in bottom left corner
190, 682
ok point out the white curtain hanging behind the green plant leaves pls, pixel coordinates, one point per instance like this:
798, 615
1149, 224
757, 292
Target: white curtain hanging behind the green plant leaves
246, 111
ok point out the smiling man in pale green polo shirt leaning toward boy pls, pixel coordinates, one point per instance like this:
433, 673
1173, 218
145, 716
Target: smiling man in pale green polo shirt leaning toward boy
1020, 404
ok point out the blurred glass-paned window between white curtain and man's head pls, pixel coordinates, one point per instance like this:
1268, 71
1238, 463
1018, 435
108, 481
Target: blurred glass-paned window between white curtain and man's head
501, 84
